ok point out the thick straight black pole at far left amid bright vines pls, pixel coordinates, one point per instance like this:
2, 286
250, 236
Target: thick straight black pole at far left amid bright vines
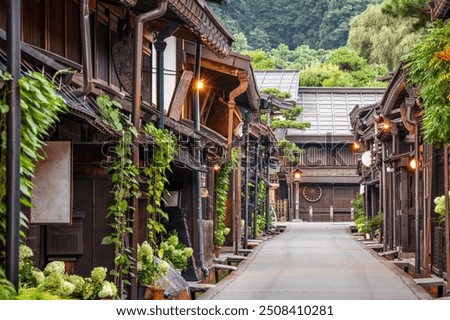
13, 143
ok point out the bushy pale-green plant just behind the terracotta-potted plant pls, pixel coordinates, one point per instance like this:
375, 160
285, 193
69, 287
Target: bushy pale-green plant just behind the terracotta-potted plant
175, 252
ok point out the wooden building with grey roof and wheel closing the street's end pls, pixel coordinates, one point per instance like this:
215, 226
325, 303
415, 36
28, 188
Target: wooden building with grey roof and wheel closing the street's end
329, 180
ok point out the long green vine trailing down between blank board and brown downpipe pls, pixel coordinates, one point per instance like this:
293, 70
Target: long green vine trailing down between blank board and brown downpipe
125, 185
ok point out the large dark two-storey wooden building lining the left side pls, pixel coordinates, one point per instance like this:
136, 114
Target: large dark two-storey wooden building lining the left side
146, 55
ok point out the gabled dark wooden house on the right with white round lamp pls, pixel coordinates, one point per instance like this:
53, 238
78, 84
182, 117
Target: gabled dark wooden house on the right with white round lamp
387, 135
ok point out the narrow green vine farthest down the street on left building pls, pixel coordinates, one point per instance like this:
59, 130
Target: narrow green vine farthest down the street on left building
222, 187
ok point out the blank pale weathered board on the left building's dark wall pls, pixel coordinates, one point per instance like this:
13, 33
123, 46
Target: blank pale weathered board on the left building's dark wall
52, 201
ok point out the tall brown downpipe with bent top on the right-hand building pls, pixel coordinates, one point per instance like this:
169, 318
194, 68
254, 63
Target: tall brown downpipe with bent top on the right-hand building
410, 102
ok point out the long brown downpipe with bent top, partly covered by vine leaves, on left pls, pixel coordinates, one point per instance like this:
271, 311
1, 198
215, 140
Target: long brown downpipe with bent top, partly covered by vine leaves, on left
159, 11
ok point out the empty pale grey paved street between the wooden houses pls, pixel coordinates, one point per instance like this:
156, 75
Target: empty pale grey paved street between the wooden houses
315, 261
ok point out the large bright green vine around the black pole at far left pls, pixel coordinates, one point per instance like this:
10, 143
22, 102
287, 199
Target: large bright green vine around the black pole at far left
40, 109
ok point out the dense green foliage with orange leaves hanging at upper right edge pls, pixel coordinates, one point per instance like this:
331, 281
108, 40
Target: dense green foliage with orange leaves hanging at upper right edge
428, 67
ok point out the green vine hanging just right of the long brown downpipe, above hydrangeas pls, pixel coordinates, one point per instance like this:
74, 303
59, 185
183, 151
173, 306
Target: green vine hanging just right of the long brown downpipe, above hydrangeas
156, 174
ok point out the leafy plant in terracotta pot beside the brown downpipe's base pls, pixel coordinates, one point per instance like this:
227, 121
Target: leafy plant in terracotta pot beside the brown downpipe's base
150, 271
